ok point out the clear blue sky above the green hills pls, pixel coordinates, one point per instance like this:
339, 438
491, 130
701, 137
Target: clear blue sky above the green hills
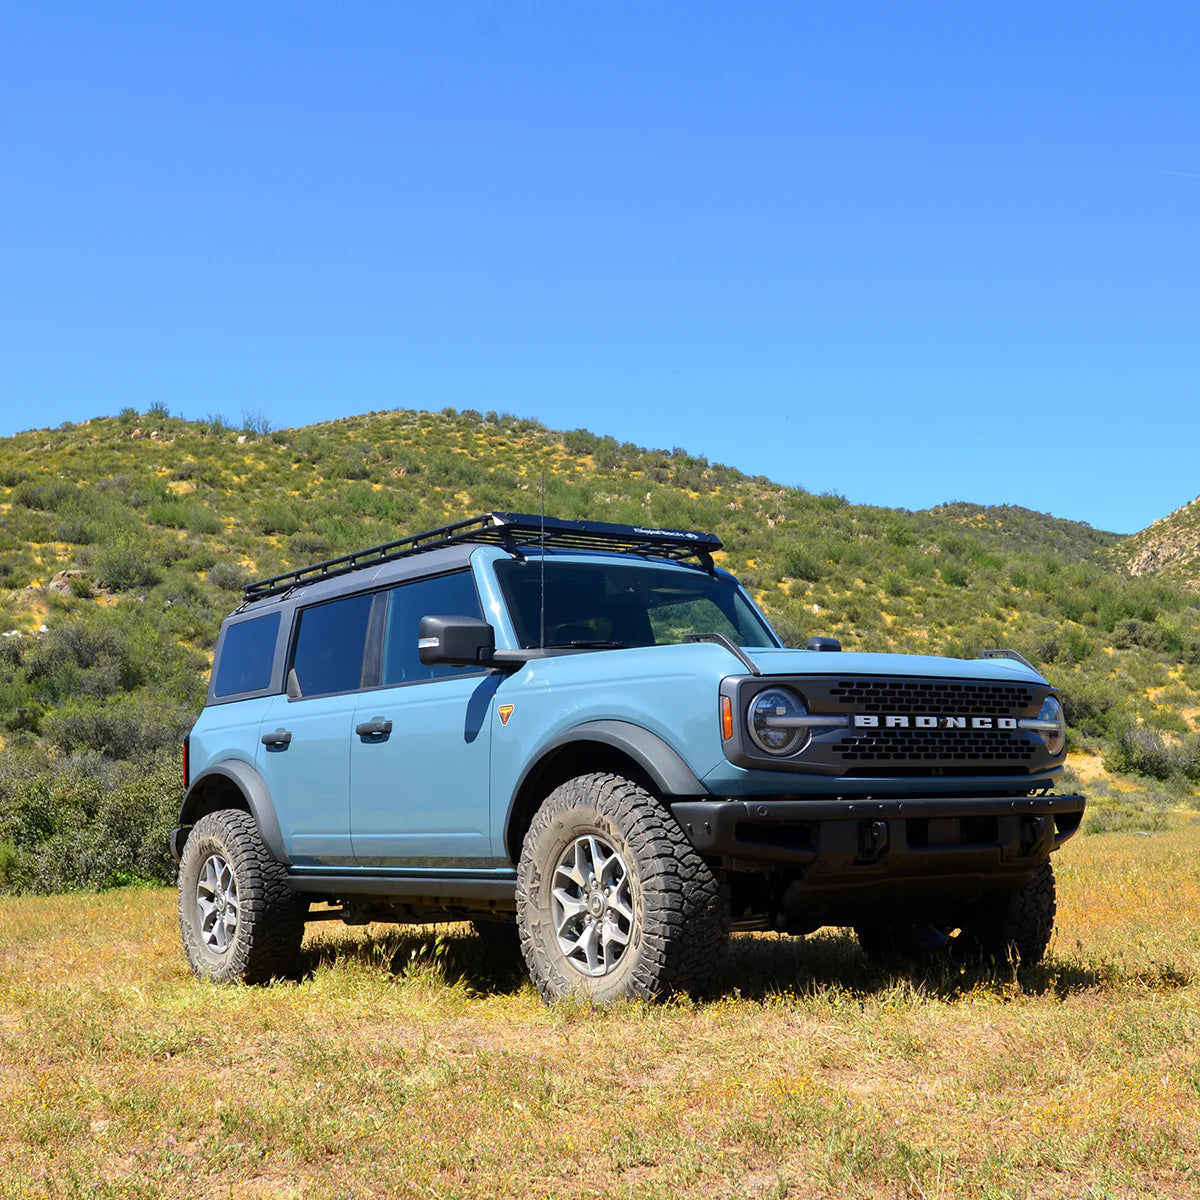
911, 254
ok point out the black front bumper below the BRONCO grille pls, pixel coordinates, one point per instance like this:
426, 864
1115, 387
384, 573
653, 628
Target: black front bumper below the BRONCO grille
873, 839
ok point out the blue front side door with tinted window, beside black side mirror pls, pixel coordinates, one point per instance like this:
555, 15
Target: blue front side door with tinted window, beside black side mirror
421, 769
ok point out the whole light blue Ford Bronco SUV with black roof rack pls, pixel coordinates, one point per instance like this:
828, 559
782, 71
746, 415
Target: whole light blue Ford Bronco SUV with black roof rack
592, 731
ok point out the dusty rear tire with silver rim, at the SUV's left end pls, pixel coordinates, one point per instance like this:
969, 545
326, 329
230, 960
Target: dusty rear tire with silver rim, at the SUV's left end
239, 920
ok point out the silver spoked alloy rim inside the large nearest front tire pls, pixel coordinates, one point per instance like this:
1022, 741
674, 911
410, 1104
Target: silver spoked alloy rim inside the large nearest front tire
592, 905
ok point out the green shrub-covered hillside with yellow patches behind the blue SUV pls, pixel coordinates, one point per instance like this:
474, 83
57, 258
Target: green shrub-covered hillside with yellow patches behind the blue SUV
127, 539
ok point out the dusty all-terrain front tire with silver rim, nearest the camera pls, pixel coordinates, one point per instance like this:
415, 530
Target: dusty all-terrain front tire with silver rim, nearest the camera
657, 899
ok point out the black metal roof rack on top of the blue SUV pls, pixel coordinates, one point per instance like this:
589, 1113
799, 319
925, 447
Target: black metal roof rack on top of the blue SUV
513, 531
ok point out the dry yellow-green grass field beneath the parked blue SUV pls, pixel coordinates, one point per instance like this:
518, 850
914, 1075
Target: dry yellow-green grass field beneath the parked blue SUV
418, 1063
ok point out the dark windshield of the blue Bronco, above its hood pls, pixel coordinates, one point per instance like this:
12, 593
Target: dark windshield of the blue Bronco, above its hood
625, 604
